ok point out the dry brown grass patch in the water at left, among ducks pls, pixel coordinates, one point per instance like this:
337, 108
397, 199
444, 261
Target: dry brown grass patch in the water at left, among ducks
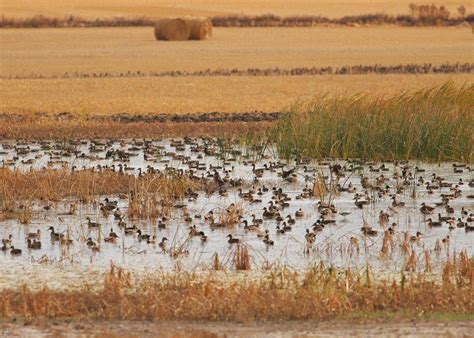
149, 194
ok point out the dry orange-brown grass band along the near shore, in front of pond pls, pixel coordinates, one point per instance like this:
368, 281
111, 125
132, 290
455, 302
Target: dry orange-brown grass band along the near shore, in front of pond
320, 293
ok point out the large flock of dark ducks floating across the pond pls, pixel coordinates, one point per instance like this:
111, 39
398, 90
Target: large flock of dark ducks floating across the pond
271, 187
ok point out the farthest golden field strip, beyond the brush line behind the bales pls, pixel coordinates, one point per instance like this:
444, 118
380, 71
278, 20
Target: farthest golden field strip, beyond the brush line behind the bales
159, 8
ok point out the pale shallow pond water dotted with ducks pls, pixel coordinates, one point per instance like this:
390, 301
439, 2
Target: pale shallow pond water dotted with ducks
249, 179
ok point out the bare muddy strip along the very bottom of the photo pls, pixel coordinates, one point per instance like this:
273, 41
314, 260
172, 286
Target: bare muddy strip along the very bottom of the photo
362, 328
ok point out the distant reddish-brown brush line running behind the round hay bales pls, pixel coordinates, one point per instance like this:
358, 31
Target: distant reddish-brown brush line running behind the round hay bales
440, 18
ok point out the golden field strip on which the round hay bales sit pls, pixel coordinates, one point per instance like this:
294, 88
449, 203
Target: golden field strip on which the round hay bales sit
56, 51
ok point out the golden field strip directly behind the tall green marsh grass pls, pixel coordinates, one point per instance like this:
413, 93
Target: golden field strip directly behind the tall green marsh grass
190, 95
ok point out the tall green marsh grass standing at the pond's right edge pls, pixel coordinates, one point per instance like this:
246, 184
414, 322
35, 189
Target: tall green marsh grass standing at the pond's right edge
430, 125
